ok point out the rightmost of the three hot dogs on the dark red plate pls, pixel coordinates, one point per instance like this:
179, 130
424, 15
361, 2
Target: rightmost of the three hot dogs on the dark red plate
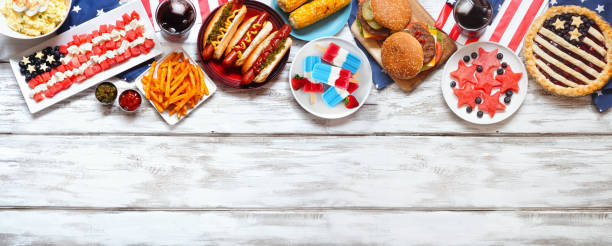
266, 56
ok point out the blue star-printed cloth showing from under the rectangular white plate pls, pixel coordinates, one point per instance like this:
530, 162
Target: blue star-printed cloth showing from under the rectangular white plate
84, 10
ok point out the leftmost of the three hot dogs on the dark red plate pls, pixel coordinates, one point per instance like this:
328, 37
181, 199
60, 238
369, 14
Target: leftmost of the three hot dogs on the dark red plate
222, 28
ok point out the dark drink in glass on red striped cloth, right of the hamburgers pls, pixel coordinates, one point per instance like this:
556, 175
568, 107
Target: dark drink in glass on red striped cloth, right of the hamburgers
473, 16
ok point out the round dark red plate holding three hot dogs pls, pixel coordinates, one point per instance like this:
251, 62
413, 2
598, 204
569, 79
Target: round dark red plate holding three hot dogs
244, 44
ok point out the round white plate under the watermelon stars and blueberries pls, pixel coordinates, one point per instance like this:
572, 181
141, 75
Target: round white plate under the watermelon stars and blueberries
451, 100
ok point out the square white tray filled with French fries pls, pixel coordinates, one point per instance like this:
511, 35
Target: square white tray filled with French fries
175, 86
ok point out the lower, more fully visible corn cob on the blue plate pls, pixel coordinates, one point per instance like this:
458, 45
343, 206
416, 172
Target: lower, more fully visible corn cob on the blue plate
314, 11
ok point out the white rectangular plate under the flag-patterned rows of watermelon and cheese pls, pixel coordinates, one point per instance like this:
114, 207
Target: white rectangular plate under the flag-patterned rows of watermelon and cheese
64, 38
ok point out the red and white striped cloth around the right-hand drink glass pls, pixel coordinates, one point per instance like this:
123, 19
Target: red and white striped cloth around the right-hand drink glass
508, 28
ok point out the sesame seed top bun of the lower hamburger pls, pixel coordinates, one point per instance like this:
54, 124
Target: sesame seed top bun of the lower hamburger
402, 55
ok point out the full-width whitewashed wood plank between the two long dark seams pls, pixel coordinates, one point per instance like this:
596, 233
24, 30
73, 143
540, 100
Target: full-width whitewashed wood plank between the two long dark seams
271, 172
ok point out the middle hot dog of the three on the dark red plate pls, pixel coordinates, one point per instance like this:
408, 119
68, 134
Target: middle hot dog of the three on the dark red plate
246, 39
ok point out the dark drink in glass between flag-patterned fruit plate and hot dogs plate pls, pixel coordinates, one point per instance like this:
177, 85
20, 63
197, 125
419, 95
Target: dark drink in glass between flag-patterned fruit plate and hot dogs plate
175, 18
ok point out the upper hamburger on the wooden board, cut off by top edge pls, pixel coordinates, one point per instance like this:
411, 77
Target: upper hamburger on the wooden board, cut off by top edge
377, 19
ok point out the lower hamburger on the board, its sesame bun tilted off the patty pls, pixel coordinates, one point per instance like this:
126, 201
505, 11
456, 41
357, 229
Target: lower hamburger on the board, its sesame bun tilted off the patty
416, 49
